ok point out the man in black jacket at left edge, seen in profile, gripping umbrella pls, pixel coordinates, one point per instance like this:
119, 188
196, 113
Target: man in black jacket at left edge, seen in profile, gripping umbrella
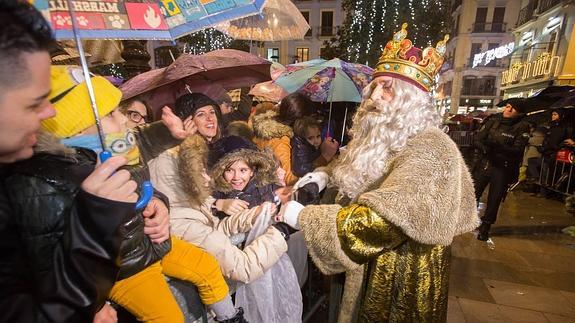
65, 274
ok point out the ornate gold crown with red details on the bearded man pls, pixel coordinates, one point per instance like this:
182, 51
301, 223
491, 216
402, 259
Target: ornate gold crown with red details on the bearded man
401, 58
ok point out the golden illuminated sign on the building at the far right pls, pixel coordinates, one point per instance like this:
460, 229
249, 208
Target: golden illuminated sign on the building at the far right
543, 67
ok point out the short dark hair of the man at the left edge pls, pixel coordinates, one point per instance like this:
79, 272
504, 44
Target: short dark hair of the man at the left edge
24, 30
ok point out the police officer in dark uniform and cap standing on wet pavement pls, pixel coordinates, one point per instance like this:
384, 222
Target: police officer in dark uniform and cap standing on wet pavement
501, 142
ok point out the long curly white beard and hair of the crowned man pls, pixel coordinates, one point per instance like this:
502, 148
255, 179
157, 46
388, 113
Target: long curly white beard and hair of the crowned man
380, 130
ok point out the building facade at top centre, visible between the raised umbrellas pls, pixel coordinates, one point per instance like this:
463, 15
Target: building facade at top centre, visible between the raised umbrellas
323, 16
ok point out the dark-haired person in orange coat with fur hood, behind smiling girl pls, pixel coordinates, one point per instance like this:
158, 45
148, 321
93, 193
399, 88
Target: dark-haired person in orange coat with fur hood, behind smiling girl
273, 129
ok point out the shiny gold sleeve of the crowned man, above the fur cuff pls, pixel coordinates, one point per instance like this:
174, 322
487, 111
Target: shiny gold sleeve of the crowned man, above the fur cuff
364, 235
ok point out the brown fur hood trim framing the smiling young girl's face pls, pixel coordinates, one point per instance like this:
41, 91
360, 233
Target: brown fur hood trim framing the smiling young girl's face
263, 162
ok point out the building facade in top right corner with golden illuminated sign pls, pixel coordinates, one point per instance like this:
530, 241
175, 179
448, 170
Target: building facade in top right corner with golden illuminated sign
545, 54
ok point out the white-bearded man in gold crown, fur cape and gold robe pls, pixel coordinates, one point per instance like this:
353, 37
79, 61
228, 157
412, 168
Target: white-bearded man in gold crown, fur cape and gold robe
404, 193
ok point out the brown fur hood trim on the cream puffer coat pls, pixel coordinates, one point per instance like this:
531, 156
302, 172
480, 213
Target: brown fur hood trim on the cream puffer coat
192, 158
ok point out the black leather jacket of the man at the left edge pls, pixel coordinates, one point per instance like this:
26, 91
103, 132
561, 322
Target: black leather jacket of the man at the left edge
60, 246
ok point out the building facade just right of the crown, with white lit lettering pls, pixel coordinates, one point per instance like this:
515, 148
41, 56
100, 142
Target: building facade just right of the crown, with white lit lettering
470, 77
